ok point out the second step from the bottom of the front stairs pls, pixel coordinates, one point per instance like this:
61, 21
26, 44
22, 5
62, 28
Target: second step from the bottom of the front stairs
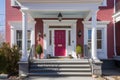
60, 69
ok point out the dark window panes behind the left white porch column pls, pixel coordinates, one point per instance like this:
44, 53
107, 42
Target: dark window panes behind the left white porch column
19, 38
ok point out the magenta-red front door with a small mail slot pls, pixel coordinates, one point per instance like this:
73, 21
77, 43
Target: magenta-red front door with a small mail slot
60, 42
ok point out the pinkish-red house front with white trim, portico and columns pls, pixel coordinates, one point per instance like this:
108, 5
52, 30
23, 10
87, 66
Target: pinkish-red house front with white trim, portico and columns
82, 22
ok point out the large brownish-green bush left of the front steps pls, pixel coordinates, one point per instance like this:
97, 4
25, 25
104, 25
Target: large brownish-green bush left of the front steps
9, 57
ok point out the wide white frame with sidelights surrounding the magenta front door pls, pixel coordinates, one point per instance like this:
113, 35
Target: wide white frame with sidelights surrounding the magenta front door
50, 49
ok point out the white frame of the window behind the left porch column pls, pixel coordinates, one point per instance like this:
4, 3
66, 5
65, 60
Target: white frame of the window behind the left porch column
17, 25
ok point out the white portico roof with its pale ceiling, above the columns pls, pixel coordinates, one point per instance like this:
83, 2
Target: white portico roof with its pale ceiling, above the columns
68, 8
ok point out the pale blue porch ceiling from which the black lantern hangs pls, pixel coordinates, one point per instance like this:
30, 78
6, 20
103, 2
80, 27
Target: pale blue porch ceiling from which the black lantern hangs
54, 14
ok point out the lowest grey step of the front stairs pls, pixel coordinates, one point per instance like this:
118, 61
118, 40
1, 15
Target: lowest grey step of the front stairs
61, 74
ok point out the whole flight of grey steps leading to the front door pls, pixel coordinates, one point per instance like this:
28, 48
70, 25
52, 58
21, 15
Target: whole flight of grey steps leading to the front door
60, 67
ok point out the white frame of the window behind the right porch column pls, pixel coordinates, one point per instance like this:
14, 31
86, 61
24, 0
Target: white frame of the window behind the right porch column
100, 25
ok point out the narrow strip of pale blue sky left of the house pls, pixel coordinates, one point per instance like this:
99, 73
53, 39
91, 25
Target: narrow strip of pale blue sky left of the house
2, 15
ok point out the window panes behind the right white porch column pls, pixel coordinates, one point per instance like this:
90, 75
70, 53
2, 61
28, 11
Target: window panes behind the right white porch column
99, 38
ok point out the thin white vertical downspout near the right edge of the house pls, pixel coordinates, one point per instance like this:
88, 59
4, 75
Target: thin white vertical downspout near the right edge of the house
115, 53
